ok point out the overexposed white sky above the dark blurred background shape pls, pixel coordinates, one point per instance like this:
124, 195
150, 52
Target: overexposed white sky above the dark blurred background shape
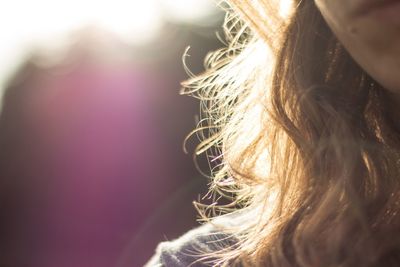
25, 23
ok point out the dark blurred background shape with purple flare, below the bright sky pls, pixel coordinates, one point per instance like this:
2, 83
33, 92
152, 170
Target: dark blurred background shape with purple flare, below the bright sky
92, 170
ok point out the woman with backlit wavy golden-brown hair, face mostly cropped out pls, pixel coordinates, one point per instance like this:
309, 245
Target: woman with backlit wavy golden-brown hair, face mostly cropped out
303, 109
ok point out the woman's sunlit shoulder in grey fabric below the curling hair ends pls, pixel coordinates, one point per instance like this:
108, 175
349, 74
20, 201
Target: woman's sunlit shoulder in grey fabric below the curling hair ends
190, 249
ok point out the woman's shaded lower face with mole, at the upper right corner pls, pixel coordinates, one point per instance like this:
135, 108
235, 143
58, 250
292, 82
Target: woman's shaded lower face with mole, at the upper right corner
370, 31
